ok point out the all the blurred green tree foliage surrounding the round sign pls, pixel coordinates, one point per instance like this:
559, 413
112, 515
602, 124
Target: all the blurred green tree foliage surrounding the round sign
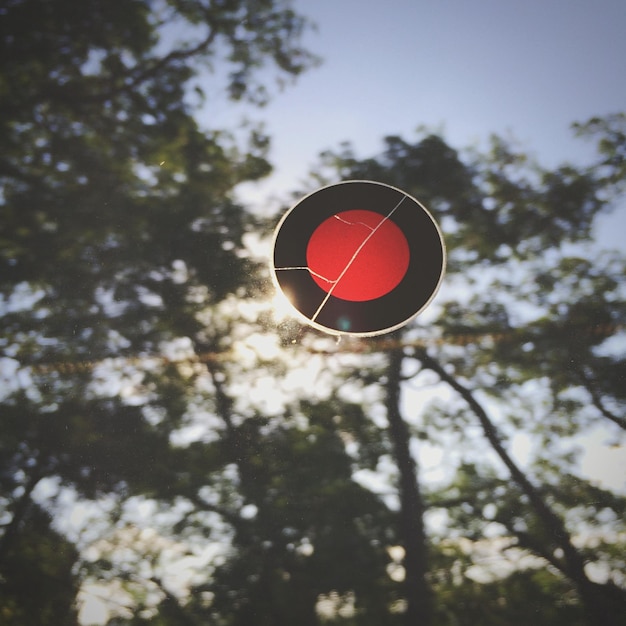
136, 338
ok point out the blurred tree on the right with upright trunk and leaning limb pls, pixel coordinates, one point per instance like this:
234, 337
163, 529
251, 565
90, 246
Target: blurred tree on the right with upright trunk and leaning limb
515, 234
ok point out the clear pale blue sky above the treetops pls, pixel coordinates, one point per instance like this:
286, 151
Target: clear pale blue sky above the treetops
525, 70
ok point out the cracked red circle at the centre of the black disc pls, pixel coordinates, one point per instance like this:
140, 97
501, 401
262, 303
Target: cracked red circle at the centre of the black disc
357, 255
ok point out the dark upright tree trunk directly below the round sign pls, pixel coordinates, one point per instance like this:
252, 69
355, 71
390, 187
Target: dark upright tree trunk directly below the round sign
418, 593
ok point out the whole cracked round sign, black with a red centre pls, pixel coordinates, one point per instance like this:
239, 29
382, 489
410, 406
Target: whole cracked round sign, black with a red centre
358, 258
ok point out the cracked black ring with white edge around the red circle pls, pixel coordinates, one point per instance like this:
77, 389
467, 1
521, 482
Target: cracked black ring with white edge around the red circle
372, 317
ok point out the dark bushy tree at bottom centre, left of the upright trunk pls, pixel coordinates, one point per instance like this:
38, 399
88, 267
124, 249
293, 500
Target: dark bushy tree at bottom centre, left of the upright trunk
314, 532
